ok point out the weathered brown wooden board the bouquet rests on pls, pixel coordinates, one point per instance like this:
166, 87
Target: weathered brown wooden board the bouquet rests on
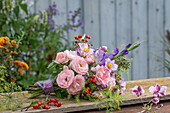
71, 105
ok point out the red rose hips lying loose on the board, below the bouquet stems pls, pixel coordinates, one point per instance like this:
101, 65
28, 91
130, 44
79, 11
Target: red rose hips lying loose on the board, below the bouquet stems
46, 103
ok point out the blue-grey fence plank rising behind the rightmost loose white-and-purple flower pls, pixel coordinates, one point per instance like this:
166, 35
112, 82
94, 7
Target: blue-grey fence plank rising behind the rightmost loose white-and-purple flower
155, 16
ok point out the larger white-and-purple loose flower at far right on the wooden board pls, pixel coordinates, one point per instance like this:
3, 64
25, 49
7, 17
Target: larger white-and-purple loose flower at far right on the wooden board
157, 90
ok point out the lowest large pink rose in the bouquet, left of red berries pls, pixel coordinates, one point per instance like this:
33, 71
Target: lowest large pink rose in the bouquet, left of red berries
77, 85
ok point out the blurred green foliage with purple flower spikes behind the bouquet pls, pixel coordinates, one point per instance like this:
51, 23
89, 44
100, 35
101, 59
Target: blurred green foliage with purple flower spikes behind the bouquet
43, 38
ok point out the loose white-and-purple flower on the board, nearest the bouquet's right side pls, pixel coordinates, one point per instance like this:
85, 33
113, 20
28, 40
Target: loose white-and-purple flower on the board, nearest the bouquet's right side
138, 90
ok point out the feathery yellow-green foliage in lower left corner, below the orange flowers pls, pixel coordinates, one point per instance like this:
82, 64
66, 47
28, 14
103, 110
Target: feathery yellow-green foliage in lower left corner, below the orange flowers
8, 100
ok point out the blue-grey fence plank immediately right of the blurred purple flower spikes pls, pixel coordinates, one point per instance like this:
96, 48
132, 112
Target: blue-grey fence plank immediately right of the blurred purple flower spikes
92, 21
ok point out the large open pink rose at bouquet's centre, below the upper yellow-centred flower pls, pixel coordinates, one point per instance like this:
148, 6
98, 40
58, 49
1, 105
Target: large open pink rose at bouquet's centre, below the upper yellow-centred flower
79, 65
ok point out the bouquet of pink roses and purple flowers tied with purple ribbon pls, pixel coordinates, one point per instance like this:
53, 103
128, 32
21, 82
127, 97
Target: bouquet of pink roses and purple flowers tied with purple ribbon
87, 73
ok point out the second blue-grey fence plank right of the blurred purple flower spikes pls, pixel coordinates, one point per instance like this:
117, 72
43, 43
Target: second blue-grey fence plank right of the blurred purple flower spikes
108, 23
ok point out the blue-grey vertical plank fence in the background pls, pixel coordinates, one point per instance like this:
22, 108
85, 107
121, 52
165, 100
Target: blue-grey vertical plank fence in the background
116, 22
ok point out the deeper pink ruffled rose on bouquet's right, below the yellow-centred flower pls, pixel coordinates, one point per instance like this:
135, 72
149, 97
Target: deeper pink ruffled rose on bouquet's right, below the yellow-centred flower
102, 75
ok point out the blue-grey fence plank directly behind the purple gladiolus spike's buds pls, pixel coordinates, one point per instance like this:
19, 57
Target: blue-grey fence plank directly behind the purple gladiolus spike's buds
123, 27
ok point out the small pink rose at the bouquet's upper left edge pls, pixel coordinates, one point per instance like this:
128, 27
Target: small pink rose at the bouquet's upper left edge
61, 58
